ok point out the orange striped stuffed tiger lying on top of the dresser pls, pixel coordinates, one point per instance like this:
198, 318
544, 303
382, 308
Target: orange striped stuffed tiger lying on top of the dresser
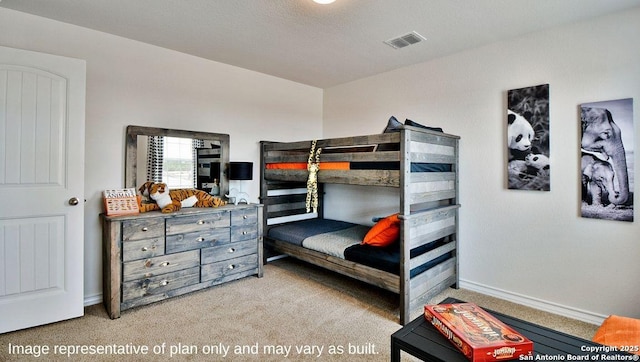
173, 200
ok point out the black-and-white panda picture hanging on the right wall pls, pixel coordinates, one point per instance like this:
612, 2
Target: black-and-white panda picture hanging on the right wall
528, 167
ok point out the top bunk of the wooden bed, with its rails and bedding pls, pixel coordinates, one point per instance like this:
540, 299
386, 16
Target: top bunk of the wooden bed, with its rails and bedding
368, 160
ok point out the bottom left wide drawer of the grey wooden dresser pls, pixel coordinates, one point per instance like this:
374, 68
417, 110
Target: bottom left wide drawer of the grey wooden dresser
159, 284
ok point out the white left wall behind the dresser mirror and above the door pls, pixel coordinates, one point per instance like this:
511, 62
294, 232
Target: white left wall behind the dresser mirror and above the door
129, 82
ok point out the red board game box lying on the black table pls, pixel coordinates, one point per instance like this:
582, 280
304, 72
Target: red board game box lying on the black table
476, 333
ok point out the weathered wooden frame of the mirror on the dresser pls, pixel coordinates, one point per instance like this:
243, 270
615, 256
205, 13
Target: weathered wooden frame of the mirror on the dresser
131, 151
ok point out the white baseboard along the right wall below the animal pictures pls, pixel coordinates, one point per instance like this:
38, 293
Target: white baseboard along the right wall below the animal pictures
535, 303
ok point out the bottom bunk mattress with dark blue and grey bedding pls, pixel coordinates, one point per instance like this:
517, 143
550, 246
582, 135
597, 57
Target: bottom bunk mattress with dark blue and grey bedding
344, 240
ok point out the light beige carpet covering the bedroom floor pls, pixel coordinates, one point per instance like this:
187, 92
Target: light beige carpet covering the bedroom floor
295, 312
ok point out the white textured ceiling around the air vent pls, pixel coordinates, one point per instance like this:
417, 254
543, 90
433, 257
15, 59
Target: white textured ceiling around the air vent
318, 45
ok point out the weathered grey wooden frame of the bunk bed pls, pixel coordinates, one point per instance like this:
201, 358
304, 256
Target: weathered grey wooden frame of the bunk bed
428, 204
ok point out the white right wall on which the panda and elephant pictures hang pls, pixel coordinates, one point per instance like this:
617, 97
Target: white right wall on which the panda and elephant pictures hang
531, 247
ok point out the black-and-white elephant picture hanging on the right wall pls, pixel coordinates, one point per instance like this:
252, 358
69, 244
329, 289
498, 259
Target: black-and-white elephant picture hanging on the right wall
607, 159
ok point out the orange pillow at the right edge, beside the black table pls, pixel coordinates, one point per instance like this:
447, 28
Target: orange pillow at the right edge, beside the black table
619, 331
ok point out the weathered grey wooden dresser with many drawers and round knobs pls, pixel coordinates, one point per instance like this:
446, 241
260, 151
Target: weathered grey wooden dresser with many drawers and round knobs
154, 256
